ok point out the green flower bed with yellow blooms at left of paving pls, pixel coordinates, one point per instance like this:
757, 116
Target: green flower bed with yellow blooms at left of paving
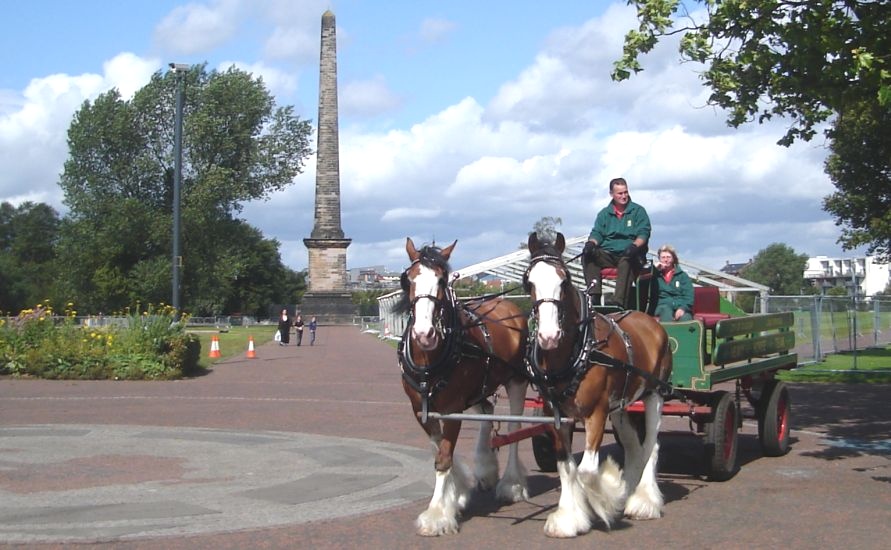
151, 346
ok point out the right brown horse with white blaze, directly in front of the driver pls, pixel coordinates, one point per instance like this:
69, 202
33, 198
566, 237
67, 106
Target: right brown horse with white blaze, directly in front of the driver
589, 366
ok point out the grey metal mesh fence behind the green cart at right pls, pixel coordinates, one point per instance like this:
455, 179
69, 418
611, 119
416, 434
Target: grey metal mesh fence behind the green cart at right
833, 324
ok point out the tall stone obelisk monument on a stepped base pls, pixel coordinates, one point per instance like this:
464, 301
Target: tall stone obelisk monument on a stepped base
328, 297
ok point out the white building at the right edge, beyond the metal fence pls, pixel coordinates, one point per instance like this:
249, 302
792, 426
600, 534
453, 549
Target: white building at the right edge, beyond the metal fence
871, 277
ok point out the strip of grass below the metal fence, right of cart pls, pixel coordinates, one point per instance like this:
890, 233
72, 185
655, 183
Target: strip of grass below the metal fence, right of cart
873, 367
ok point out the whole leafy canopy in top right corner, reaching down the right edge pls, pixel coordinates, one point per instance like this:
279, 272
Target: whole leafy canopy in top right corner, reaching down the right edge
812, 61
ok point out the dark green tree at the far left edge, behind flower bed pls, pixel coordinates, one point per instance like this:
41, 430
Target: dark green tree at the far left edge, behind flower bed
28, 235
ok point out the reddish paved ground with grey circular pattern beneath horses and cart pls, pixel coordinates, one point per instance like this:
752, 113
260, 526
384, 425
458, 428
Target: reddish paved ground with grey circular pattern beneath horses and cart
315, 447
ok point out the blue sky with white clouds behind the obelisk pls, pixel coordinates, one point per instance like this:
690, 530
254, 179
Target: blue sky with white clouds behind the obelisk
459, 120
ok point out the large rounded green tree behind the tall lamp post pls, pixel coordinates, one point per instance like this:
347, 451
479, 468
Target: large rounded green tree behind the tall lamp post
118, 182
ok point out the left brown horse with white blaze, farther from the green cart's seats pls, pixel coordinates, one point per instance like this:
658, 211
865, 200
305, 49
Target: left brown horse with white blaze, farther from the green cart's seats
454, 356
